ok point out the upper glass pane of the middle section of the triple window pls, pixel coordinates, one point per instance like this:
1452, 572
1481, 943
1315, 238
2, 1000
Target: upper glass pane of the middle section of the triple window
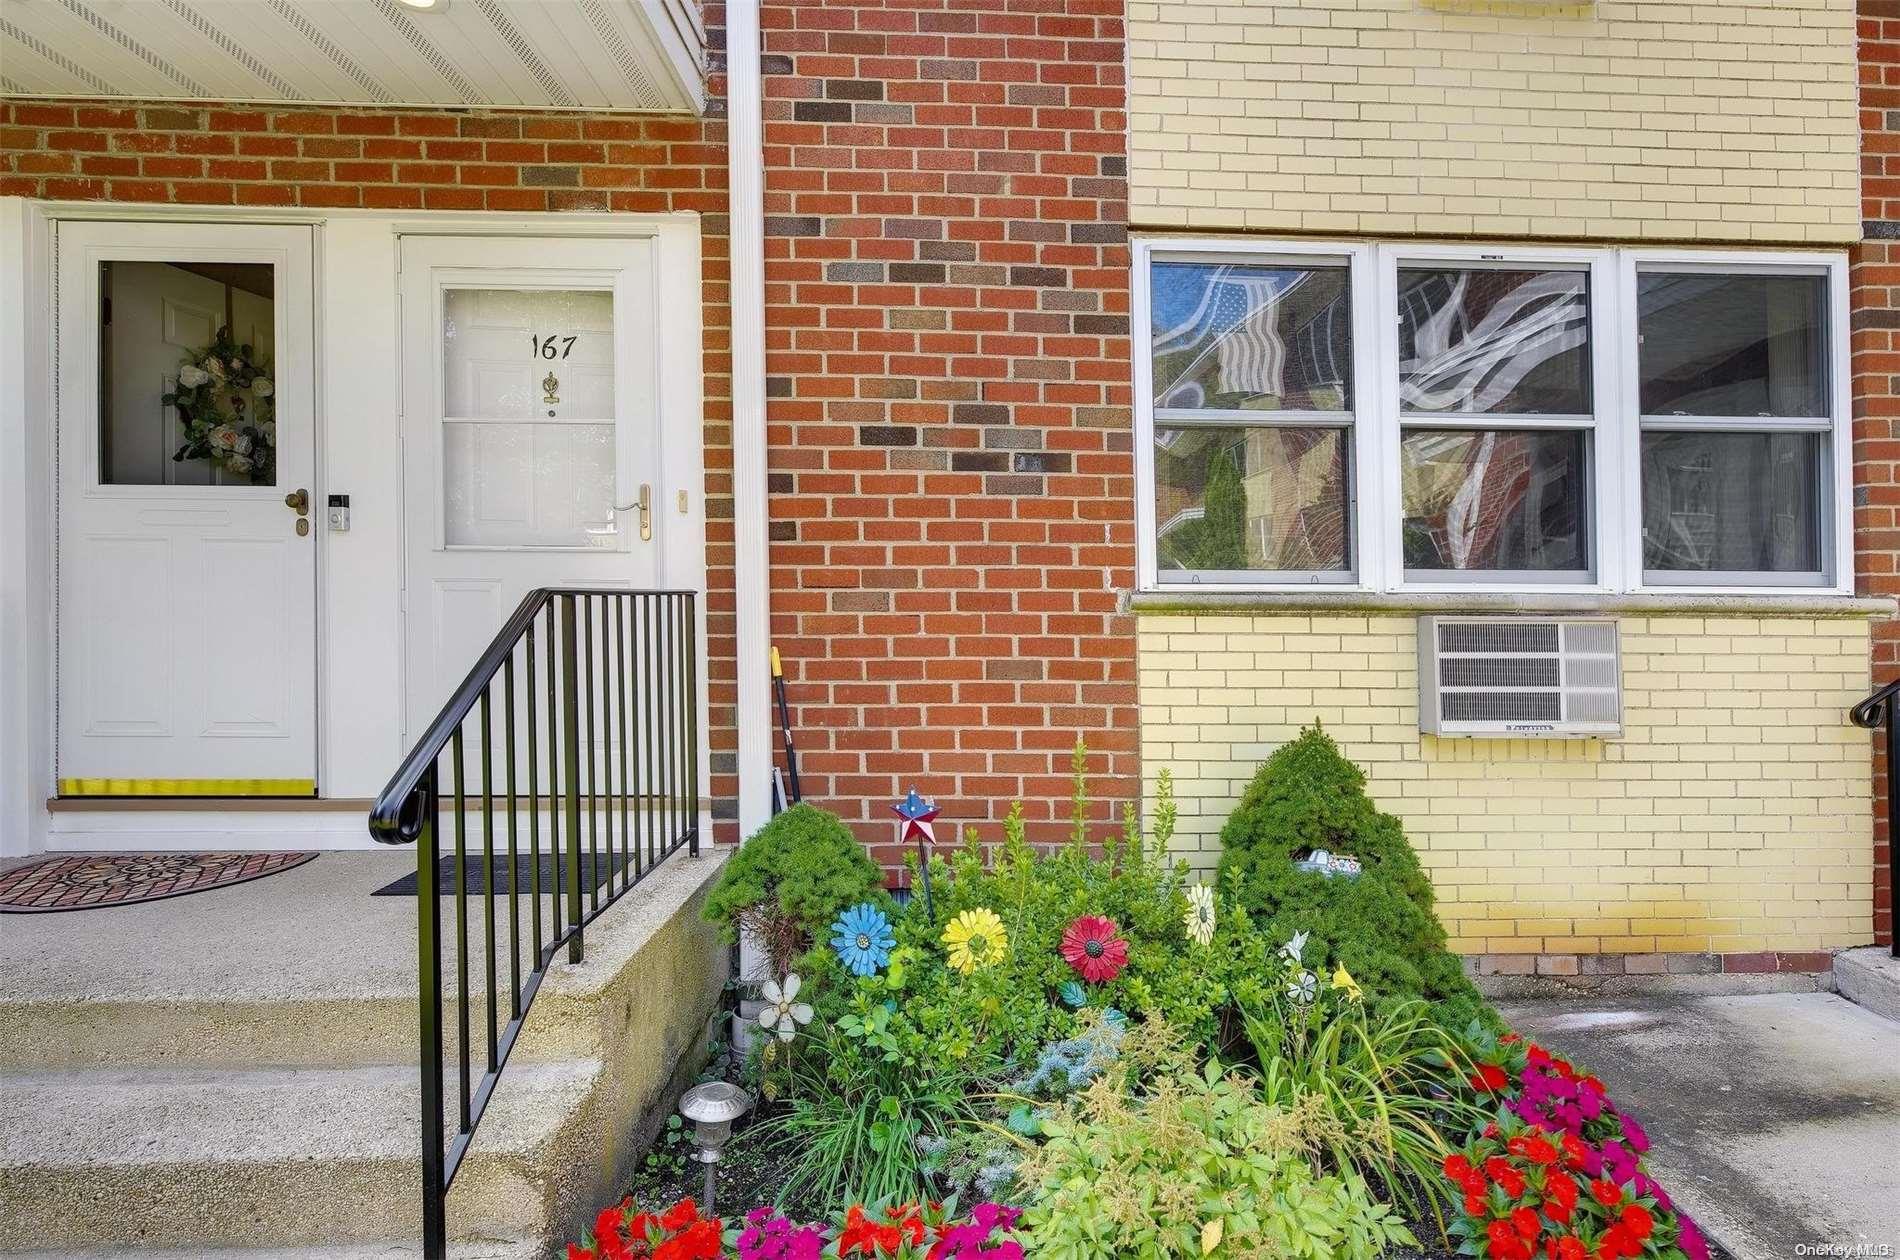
1494, 341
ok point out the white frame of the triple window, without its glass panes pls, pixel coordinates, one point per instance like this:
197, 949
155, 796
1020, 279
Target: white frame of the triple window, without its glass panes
1616, 427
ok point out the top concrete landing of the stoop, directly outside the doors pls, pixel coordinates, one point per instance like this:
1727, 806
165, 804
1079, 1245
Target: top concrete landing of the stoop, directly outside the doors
297, 970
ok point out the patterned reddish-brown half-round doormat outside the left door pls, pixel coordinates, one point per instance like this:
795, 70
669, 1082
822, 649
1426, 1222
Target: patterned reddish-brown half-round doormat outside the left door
100, 881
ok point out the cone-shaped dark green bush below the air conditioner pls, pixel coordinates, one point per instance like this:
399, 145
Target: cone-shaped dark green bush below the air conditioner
1380, 923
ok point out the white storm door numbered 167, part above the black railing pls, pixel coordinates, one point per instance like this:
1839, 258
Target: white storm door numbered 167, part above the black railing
531, 436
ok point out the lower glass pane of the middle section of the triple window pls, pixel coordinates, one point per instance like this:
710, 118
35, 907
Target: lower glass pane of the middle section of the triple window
1496, 501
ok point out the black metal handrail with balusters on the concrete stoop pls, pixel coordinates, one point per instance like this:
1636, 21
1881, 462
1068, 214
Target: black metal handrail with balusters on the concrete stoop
636, 752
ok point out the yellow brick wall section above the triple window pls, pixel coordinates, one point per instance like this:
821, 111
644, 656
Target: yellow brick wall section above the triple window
1627, 119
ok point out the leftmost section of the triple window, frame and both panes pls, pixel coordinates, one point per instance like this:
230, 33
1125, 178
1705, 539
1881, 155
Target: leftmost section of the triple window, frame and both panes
1255, 394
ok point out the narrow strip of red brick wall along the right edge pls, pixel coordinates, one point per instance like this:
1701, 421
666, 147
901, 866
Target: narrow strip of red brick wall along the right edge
1876, 313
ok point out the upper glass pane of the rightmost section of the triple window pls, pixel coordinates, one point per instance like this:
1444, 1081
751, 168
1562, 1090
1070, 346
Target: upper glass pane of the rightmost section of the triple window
1732, 345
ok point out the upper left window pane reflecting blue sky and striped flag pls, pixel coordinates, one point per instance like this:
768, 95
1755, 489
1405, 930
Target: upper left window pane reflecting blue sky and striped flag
1253, 337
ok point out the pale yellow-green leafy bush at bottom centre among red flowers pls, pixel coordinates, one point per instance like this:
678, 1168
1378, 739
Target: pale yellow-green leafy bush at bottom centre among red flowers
1196, 1164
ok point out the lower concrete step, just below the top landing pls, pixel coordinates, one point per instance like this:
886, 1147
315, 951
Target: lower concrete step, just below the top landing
200, 1158
